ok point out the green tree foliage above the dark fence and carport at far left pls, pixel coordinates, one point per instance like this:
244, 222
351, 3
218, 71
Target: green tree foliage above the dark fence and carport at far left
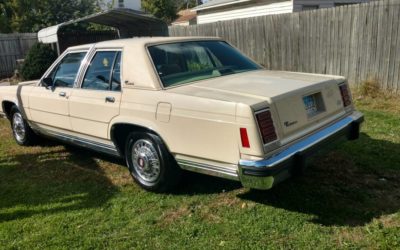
33, 15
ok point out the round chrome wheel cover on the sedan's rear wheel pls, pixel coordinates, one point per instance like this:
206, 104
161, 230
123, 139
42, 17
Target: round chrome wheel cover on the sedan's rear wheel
145, 161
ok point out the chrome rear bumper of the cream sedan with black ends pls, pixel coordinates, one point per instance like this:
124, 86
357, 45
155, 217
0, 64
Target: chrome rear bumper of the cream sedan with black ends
264, 174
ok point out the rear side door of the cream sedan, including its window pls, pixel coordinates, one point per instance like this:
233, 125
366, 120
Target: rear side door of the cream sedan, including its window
97, 101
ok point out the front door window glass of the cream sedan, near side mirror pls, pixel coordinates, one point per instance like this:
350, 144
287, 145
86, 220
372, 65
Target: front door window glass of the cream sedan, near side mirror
66, 71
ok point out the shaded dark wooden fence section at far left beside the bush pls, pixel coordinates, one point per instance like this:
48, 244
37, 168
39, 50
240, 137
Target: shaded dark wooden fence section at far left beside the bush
13, 47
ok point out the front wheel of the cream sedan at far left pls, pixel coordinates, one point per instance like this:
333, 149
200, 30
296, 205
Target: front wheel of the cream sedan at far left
22, 133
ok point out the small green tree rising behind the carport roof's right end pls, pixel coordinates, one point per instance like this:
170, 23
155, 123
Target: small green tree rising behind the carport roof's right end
163, 9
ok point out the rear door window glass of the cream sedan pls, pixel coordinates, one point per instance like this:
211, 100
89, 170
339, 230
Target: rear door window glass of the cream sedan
103, 72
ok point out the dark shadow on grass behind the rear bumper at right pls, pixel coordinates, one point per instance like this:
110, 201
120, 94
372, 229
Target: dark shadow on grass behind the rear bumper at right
349, 186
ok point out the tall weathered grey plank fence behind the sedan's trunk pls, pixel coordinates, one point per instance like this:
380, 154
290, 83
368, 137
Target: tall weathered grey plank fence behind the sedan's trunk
357, 41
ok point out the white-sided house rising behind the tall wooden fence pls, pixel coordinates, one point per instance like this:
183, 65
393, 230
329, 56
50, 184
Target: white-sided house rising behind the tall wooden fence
219, 10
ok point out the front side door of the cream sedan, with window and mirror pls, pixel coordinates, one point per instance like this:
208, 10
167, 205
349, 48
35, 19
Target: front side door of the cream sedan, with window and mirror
49, 104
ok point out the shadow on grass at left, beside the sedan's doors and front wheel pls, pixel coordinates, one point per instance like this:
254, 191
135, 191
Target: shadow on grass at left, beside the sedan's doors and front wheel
51, 179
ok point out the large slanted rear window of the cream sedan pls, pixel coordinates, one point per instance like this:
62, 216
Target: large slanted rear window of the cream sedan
184, 62
